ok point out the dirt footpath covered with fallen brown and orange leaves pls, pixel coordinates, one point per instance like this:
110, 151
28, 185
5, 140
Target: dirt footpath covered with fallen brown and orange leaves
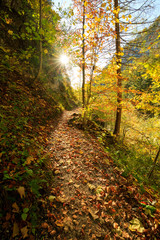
89, 198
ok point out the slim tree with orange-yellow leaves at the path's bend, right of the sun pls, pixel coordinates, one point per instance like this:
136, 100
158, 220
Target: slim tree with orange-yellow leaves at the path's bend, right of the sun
95, 31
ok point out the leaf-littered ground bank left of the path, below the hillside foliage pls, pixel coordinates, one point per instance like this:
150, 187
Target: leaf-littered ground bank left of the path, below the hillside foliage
28, 114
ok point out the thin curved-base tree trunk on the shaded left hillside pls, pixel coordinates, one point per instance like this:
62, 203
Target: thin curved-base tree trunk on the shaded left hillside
40, 43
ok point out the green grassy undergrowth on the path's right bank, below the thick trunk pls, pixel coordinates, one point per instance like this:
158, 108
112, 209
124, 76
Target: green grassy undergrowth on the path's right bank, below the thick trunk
136, 163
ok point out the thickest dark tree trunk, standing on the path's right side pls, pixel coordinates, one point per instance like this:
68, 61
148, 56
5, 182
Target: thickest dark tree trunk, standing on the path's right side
119, 77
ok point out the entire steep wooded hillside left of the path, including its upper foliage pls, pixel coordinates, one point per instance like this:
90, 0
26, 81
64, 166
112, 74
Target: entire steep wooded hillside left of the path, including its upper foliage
29, 110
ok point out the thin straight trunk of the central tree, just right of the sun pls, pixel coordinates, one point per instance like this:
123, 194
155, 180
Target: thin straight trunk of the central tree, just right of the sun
83, 58
